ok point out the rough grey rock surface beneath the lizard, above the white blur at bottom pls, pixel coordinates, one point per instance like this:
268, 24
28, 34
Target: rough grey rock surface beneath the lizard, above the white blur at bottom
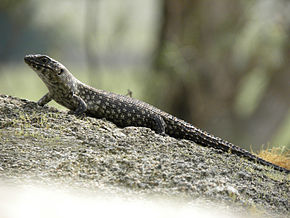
44, 144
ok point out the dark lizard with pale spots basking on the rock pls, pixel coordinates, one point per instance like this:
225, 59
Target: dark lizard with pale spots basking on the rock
83, 100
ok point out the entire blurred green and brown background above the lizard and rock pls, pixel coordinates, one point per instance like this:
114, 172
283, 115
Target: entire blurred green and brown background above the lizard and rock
222, 65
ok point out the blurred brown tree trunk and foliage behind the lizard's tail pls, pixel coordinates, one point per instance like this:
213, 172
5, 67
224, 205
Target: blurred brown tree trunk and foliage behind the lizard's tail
224, 65
